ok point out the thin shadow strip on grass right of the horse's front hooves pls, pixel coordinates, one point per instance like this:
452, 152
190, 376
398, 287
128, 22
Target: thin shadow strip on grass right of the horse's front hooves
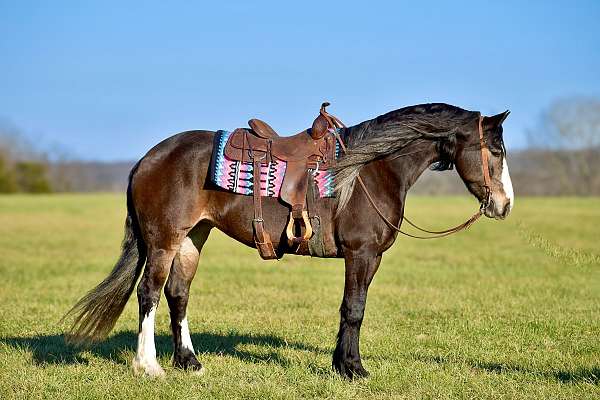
581, 374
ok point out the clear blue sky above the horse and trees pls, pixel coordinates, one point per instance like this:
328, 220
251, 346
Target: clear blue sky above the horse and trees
106, 80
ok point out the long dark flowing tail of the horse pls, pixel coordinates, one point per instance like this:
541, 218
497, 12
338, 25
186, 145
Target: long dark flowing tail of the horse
96, 313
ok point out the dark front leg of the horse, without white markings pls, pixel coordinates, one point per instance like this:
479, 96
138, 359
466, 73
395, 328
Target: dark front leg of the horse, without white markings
360, 269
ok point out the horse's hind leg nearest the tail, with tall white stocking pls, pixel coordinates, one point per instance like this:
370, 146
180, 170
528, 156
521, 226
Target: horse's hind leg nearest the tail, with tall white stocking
156, 271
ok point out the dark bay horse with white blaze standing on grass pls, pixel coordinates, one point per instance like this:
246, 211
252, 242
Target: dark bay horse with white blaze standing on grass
172, 207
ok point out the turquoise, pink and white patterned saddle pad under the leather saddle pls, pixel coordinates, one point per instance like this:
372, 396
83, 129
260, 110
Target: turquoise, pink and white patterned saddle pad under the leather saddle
237, 177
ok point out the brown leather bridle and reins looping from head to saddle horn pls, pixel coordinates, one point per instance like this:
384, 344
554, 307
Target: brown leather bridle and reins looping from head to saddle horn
336, 124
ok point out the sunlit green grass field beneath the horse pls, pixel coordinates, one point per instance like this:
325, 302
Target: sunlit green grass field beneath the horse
506, 310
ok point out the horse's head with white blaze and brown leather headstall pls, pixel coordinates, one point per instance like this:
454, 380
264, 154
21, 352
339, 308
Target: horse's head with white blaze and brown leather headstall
496, 195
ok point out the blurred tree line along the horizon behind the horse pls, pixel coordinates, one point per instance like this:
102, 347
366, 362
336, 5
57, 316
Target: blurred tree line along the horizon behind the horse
562, 159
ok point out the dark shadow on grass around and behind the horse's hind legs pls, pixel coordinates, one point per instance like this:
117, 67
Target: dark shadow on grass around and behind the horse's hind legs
52, 349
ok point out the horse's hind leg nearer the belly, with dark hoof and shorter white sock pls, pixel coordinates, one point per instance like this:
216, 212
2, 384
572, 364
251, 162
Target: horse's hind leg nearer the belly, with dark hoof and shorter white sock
177, 293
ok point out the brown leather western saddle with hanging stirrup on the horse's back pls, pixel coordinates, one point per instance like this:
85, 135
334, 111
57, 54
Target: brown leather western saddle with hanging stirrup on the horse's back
306, 152
